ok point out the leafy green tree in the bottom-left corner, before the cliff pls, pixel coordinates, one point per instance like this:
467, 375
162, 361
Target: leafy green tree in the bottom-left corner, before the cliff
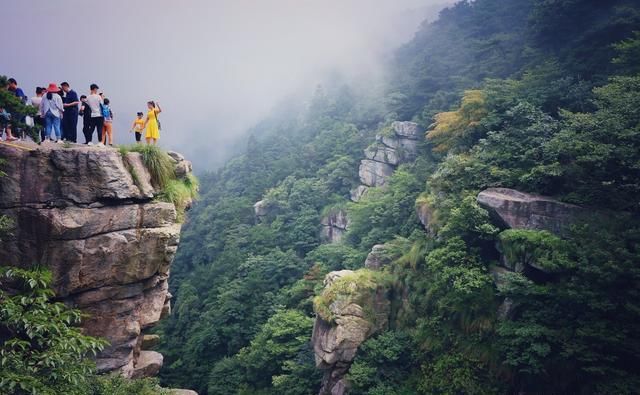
41, 349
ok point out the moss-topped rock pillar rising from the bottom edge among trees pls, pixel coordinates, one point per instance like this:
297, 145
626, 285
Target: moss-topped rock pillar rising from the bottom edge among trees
360, 310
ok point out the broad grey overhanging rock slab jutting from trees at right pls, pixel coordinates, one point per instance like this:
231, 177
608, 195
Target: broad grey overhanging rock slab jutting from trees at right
518, 210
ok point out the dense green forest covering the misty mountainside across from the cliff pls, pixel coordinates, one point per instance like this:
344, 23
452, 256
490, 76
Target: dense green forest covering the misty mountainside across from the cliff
537, 95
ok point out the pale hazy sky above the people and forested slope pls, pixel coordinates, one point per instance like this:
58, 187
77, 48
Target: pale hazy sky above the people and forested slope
216, 66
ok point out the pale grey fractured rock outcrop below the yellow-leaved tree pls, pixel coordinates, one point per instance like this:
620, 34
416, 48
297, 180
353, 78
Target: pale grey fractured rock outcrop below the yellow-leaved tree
392, 147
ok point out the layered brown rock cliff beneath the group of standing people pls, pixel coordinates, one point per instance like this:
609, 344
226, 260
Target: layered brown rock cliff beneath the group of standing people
87, 214
